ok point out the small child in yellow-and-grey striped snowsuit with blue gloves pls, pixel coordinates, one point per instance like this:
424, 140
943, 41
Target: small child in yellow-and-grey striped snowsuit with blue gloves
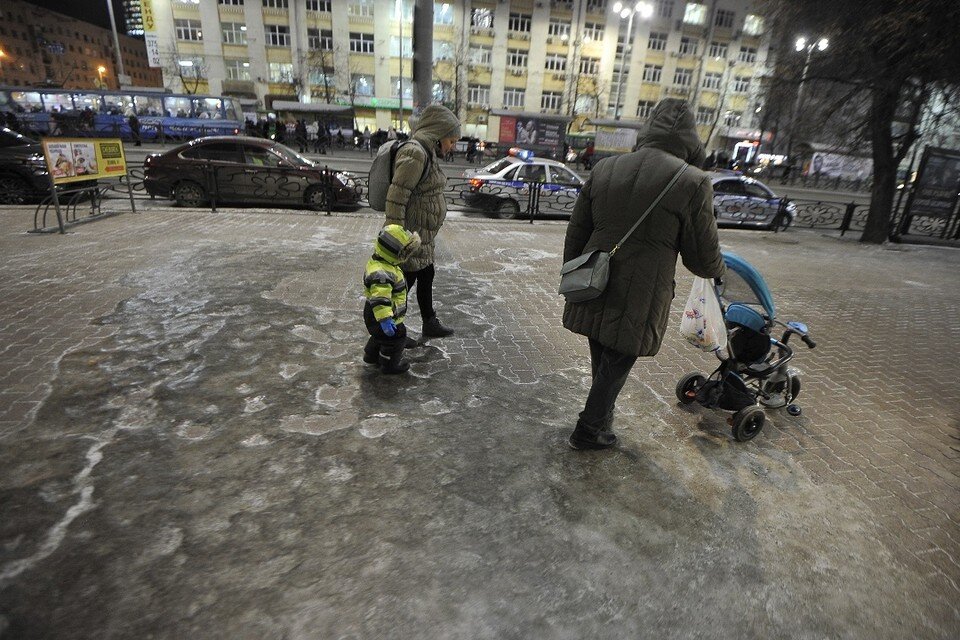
386, 292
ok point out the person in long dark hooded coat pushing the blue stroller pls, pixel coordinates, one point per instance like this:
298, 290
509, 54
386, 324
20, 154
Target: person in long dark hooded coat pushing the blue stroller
629, 318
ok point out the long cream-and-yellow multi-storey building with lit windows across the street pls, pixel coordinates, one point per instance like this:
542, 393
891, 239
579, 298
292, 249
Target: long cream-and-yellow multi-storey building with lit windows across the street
567, 57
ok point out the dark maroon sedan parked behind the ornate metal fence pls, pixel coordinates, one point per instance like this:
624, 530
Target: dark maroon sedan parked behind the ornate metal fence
245, 170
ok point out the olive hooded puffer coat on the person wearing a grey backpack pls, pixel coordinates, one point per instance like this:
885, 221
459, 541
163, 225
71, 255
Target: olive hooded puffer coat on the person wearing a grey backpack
414, 203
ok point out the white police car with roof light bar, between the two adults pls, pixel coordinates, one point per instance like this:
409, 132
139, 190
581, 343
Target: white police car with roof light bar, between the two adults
502, 188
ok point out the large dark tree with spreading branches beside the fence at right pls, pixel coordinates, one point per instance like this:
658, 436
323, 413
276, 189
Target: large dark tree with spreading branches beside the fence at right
885, 60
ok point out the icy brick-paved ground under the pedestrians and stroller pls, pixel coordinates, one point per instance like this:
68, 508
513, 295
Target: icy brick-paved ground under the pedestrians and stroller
192, 447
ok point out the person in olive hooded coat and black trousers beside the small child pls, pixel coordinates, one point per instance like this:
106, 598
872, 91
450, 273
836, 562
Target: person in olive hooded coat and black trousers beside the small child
415, 201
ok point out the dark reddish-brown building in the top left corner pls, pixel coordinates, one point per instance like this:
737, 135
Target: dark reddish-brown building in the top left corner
39, 47
